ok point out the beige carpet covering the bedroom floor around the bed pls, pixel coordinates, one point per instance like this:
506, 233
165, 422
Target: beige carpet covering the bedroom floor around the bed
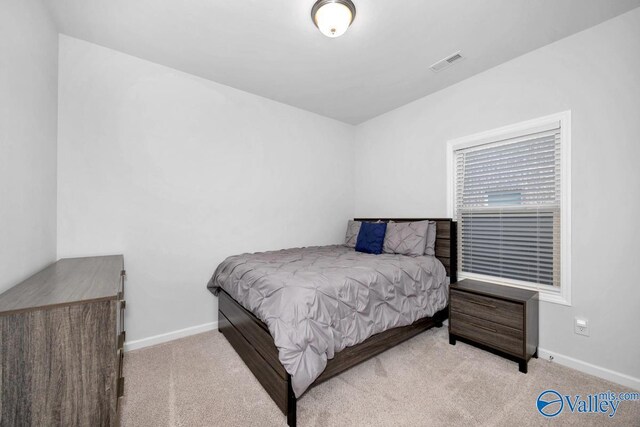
201, 381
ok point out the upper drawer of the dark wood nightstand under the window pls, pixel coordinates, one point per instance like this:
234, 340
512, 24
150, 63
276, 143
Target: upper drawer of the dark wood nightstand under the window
502, 312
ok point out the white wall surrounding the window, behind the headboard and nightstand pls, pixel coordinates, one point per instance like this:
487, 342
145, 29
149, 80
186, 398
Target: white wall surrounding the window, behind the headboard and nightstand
401, 171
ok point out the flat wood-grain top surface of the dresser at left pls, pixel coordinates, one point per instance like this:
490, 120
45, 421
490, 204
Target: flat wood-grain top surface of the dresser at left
68, 281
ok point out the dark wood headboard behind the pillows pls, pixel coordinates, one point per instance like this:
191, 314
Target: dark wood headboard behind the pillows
446, 240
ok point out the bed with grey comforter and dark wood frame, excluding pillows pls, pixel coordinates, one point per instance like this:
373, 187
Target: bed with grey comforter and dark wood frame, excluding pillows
298, 317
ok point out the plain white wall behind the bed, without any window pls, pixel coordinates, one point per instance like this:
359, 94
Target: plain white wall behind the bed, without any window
177, 173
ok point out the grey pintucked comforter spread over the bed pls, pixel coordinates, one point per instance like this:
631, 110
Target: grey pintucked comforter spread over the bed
318, 300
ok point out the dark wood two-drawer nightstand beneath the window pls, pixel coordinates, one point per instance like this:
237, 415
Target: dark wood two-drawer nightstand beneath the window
500, 318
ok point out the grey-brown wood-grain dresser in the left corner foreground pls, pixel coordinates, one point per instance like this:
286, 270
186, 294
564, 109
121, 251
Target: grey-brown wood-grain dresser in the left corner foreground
61, 337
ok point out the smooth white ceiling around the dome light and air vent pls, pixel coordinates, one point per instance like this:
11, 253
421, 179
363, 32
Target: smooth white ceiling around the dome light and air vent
271, 47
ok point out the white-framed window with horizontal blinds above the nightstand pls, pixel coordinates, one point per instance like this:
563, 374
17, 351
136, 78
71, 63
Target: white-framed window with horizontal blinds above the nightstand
510, 193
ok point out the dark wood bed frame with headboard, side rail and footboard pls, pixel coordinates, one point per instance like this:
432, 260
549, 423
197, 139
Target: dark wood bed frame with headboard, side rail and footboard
251, 339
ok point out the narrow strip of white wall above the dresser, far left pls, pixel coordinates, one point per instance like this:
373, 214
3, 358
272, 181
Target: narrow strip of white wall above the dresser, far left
28, 120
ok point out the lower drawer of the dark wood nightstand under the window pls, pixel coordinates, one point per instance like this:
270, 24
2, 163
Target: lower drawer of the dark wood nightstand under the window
489, 333
